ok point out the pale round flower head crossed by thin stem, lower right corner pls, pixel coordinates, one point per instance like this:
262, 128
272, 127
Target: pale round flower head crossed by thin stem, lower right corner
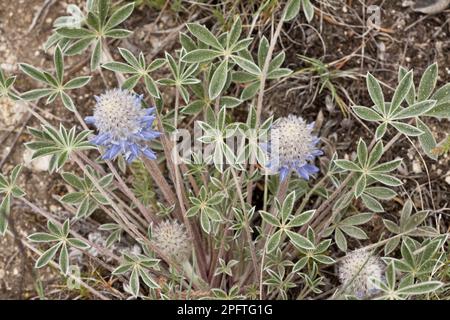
358, 271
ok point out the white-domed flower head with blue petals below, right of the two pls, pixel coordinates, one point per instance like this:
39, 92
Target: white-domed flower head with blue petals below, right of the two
293, 147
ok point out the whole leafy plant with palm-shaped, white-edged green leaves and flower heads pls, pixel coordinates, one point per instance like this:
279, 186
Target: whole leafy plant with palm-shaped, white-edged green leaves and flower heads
252, 211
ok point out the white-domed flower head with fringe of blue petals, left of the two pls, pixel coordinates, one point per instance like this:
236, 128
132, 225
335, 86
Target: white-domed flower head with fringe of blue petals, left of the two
124, 127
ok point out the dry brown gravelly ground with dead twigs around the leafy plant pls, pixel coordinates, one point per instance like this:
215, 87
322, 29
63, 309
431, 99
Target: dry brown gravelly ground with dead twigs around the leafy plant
403, 42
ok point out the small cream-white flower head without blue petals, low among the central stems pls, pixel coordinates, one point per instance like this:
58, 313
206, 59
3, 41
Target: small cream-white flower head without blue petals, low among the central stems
171, 238
